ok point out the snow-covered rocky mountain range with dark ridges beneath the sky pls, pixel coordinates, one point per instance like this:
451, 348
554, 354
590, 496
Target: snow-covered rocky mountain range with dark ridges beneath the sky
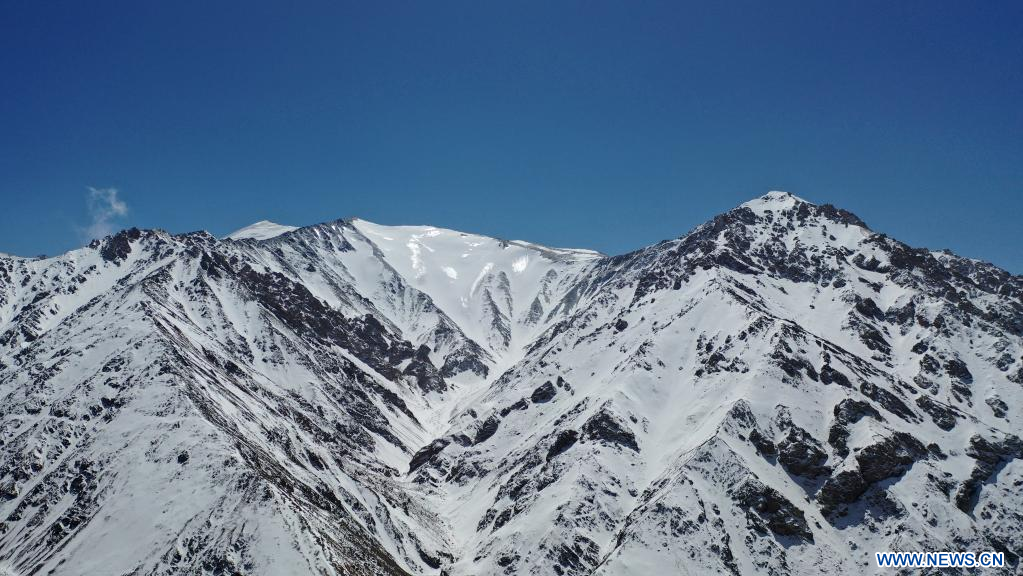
779, 391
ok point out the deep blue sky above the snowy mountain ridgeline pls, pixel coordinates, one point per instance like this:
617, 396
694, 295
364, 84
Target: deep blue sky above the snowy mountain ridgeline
603, 125
